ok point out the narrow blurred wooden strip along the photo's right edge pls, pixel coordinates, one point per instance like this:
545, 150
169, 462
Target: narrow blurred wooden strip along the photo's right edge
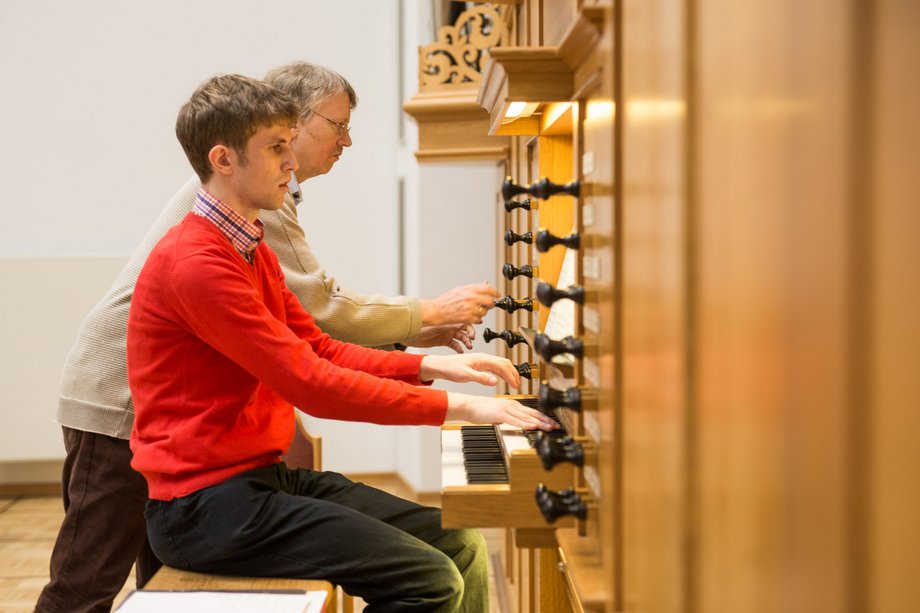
894, 218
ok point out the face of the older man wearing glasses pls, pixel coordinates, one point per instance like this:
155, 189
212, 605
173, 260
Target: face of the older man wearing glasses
318, 142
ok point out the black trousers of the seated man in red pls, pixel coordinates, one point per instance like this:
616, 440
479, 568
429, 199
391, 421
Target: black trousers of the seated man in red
281, 522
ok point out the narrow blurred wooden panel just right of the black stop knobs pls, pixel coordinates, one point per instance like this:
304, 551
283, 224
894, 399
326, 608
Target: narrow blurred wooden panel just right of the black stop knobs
654, 305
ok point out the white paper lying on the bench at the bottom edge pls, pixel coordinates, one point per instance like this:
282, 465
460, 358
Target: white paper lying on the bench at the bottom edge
223, 602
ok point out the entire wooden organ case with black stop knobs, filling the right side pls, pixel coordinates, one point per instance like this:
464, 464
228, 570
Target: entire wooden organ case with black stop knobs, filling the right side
724, 202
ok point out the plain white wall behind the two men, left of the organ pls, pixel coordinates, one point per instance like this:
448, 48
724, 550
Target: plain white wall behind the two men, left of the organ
88, 157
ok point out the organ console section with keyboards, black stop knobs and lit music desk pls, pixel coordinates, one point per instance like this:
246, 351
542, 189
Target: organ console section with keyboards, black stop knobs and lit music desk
553, 492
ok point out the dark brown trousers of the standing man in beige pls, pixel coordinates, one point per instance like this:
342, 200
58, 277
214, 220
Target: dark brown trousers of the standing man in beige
103, 532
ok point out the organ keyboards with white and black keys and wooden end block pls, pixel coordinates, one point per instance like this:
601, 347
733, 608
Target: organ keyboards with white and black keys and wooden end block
490, 473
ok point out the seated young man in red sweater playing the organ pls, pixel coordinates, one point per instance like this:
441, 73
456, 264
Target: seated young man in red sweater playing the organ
219, 352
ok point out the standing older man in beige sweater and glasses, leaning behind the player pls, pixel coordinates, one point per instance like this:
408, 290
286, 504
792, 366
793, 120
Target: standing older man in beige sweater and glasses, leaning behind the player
103, 532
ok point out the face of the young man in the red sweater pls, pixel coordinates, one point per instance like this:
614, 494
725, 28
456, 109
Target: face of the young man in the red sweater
261, 182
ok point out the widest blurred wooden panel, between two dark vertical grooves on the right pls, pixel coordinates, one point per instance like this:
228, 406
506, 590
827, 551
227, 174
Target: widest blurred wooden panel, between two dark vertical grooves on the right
772, 171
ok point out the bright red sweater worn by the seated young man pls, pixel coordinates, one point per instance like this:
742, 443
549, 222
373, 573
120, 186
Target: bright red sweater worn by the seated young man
219, 351
